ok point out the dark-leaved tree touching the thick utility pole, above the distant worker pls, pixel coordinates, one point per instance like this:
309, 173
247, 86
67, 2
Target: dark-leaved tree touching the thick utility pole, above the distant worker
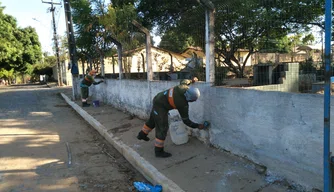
94, 41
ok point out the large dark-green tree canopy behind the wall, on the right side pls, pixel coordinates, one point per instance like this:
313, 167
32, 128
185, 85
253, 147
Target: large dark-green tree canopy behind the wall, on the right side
239, 24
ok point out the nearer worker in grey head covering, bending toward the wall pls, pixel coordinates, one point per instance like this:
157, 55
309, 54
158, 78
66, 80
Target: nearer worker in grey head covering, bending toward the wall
178, 98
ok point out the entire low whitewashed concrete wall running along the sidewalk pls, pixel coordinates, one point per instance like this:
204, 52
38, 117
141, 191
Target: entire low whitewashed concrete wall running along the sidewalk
283, 131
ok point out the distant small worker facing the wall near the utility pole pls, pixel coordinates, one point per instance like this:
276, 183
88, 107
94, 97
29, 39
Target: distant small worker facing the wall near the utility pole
87, 81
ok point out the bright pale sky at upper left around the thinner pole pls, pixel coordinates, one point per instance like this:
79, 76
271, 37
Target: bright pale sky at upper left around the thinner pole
34, 13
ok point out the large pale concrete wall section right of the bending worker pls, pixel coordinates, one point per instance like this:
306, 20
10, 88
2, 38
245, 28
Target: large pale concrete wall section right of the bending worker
283, 131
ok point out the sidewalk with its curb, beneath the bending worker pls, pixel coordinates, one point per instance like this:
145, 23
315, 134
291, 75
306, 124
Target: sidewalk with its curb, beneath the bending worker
194, 167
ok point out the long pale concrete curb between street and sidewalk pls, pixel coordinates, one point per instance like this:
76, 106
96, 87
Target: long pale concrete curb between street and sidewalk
143, 166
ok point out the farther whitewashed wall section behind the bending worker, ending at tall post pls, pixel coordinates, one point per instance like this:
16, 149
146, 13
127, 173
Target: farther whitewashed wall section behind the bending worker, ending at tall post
136, 96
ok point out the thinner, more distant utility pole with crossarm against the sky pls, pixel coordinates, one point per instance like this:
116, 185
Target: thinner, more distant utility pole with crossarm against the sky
52, 9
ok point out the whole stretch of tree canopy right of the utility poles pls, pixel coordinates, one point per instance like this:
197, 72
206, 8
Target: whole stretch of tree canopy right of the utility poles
239, 24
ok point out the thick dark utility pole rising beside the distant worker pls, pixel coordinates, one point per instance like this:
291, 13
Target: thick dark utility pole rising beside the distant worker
72, 49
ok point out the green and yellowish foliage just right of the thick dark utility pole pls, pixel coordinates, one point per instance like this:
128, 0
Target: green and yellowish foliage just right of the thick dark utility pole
99, 28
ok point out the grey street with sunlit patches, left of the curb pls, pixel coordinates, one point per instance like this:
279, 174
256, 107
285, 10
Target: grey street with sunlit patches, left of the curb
45, 146
